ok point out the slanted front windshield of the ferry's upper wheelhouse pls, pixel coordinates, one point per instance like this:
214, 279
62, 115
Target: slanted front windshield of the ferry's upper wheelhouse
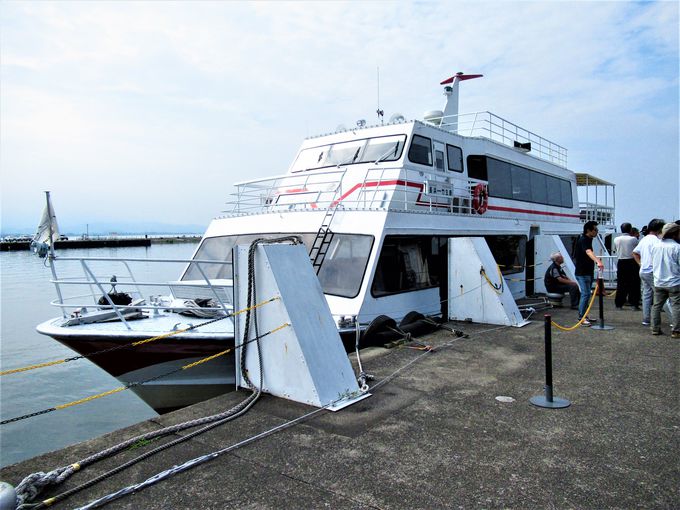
367, 150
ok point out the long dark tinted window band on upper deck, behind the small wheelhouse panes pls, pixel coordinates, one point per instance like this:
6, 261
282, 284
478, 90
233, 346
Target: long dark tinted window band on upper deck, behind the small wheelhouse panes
515, 182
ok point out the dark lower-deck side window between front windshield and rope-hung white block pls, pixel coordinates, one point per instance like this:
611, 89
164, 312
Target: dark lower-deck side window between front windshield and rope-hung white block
406, 263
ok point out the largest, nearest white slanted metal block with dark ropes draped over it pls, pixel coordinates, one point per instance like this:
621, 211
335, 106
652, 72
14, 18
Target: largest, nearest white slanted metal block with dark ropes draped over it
304, 361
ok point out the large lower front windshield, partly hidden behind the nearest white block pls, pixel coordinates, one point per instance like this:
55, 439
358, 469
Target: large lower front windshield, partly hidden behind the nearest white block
341, 273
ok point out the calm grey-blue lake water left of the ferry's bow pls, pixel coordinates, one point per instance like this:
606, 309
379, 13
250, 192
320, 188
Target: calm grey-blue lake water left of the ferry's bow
25, 294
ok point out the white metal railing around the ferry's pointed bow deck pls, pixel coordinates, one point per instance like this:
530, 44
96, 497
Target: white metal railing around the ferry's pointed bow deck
79, 305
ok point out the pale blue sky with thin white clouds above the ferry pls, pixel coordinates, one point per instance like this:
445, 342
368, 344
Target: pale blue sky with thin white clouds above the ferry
143, 113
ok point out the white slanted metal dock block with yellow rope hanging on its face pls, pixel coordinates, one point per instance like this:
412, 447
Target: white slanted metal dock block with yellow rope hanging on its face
477, 290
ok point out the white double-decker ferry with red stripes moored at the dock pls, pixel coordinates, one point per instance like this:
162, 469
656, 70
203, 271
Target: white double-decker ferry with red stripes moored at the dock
375, 206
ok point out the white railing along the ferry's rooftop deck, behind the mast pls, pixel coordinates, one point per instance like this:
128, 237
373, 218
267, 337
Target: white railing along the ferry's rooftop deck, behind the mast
493, 127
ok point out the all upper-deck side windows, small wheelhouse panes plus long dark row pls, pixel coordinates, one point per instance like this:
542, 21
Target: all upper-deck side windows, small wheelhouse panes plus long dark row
506, 180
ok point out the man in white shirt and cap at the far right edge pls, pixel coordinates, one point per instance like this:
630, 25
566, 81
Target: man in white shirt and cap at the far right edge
666, 263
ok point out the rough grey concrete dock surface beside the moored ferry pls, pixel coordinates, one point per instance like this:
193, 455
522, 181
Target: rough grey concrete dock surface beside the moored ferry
434, 435
